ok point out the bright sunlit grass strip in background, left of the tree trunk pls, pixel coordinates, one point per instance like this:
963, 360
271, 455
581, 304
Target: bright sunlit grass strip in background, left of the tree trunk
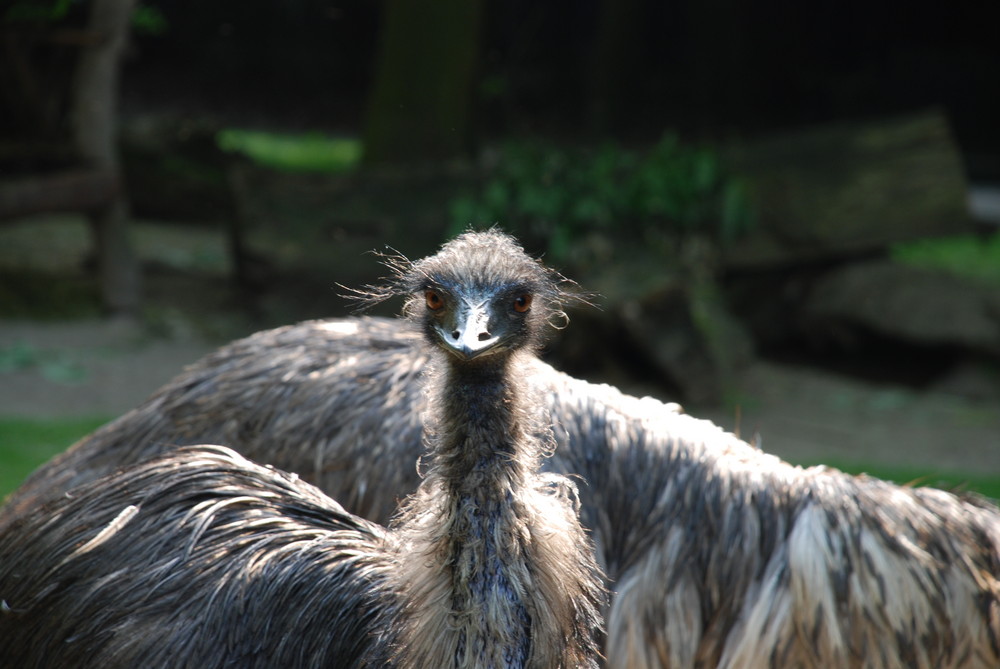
307, 152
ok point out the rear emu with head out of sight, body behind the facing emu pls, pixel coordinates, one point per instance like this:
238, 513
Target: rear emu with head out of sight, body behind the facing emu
717, 554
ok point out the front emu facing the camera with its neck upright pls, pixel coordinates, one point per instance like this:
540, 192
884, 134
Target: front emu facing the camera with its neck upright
199, 557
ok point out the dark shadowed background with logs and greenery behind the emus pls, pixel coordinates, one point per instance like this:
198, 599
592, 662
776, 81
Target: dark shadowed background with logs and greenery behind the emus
787, 211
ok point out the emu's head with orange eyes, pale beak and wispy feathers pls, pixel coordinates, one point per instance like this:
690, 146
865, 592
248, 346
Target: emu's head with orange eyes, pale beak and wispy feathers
479, 296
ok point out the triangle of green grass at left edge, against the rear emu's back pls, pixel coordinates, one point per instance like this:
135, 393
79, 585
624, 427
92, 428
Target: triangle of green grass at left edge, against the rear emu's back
25, 444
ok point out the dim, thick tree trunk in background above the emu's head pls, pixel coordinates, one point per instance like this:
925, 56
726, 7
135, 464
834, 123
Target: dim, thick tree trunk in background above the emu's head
420, 105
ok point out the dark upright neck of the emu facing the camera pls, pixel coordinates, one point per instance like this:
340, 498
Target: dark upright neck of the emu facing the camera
481, 460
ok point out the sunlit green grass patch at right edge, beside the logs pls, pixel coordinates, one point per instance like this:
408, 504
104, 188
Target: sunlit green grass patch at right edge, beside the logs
970, 256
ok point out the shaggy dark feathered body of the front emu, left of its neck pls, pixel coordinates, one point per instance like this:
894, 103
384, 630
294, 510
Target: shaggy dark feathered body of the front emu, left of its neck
198, 559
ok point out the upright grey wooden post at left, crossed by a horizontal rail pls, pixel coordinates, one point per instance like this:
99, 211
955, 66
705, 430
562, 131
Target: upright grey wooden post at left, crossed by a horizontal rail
94, 126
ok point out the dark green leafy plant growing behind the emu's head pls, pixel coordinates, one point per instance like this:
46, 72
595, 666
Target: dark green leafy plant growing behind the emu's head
560, 195
